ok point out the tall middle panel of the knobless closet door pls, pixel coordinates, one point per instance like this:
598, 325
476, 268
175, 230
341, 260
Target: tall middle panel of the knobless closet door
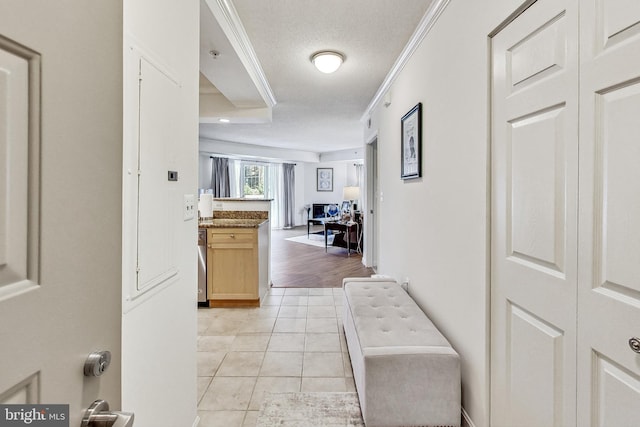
535, 202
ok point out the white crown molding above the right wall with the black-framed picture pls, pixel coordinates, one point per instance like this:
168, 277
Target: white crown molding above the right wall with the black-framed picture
428, 21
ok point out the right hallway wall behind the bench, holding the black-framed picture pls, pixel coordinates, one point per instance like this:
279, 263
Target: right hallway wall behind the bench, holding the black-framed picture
434, 230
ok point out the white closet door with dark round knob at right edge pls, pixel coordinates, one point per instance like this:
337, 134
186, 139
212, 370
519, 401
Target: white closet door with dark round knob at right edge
609, 263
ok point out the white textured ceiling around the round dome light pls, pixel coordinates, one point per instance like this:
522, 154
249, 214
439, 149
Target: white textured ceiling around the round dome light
320, 112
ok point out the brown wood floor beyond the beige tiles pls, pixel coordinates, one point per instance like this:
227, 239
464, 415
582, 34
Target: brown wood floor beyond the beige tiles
296, 265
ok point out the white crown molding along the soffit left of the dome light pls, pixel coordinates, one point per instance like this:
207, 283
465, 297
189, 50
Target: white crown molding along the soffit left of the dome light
227, 16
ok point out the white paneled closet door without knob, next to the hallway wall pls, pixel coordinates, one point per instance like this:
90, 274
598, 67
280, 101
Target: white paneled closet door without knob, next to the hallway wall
534, 217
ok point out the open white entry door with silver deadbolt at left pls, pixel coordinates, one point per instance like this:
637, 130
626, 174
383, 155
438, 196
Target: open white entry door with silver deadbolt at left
60, 200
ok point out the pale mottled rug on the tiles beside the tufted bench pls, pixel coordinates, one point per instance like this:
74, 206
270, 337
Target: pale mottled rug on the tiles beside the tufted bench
310, 410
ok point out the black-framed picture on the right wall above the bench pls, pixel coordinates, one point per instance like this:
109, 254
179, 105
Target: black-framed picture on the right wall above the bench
411, 143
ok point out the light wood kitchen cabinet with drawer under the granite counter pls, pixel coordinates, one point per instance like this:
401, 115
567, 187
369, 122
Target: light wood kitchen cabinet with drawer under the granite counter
235, 266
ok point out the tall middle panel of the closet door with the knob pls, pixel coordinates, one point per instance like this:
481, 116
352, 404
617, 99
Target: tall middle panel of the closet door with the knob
618, 197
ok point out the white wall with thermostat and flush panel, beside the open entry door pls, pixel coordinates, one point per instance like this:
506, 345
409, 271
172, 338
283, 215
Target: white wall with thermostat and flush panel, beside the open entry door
159, 327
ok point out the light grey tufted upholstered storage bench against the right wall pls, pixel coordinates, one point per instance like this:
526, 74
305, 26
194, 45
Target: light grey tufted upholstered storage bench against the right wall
406, 372
